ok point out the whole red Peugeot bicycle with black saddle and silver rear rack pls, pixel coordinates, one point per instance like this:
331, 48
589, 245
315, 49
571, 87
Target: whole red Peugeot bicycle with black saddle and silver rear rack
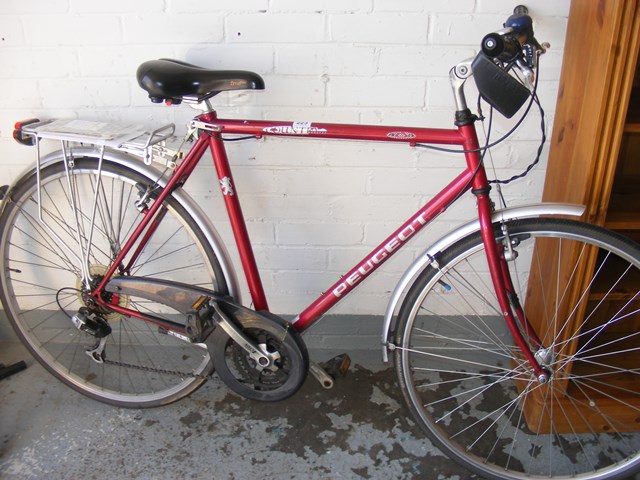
121, 287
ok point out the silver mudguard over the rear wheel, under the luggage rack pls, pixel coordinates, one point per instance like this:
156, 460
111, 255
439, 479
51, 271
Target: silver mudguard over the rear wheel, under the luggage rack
136, 164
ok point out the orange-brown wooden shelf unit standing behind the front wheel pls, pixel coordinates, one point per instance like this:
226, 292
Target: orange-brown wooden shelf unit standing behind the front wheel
594, 160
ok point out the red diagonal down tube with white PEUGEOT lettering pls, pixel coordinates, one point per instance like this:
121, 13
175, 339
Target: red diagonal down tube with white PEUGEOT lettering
383, 252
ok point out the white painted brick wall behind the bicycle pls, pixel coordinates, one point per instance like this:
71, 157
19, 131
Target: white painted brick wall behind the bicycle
314, 208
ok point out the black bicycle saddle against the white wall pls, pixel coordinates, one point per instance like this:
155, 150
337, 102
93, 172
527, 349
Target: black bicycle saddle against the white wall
172, 80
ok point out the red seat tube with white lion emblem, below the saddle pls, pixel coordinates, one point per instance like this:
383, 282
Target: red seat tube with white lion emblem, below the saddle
238, 225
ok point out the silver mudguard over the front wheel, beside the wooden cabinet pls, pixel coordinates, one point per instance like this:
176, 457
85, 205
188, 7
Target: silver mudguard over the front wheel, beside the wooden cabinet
424, 259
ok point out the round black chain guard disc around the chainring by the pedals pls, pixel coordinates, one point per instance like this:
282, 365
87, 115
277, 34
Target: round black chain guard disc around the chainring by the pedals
271, 334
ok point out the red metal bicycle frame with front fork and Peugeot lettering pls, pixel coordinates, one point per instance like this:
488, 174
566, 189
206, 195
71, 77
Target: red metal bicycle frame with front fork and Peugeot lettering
211, 130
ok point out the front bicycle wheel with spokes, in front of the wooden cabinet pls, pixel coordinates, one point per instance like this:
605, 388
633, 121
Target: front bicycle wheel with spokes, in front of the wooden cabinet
468, 384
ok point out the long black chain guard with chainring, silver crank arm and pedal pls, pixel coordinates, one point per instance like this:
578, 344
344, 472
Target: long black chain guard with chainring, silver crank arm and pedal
256, 354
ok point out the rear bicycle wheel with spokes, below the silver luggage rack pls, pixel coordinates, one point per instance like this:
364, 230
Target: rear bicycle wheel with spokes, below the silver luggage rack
41, 286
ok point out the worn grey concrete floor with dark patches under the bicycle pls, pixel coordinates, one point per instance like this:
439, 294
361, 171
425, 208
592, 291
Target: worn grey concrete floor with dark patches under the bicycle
360, 429
